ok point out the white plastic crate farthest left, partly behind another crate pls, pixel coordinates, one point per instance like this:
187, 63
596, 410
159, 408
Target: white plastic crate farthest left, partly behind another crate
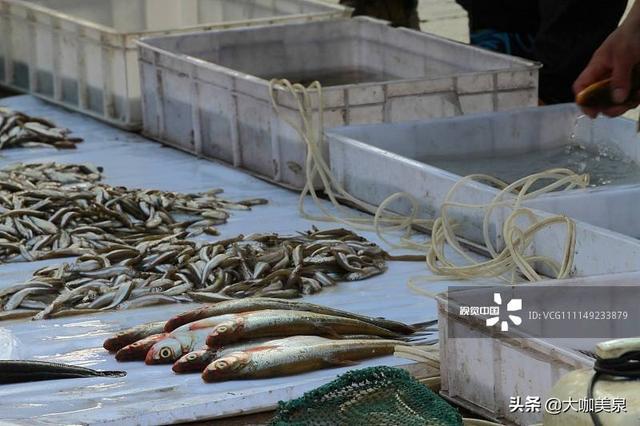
82, 54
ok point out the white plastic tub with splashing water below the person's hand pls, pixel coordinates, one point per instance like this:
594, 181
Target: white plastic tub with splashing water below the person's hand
374, 161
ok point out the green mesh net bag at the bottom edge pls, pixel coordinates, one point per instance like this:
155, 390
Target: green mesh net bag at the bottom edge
371, 396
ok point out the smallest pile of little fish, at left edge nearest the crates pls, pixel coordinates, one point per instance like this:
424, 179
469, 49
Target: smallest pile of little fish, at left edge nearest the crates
18, 129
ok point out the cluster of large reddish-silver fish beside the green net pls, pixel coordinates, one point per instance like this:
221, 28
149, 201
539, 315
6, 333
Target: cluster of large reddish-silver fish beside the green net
259, 338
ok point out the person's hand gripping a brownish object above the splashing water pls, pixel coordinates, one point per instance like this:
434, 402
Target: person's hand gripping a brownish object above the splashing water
615, 59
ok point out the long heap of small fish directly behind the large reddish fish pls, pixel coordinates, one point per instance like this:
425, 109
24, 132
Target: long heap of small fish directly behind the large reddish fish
174, 270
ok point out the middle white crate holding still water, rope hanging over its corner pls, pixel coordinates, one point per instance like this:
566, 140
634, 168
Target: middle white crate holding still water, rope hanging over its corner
208, 93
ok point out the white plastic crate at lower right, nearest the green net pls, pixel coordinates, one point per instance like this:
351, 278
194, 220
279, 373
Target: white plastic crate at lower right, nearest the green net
484, 369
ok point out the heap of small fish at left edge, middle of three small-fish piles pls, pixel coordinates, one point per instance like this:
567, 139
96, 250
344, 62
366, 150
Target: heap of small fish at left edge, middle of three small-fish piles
55, 210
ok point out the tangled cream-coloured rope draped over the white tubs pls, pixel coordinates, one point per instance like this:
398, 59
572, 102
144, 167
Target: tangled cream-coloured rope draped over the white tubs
512, 263
